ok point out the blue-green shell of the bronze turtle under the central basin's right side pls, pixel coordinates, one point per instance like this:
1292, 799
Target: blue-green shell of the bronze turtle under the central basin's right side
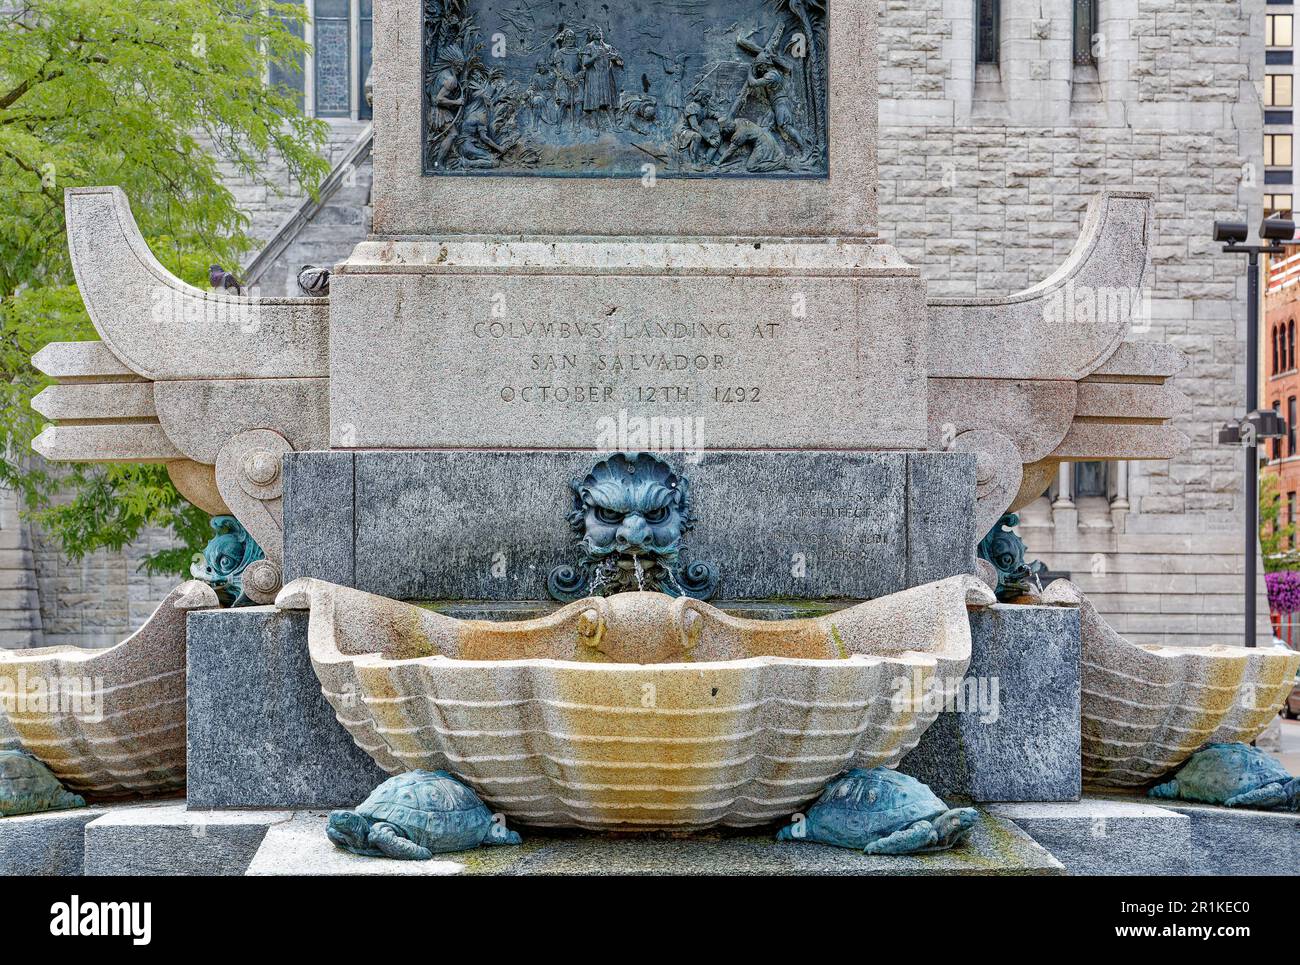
865, 806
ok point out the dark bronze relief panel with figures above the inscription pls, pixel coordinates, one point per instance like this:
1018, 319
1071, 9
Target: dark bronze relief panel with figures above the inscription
582, 89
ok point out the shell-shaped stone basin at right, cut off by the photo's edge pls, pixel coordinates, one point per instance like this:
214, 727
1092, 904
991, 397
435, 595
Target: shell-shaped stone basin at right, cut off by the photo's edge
1147, 708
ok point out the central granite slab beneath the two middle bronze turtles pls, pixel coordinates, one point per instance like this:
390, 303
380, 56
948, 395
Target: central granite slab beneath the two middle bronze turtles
995, 847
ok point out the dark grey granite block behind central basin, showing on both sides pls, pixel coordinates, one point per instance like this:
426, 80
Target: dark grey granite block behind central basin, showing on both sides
261, 734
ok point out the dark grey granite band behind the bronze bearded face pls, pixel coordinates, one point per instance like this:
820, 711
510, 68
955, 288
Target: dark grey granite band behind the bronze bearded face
492, 526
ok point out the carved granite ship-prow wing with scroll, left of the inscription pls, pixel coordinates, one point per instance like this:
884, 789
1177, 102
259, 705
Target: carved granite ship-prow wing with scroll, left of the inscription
216, 387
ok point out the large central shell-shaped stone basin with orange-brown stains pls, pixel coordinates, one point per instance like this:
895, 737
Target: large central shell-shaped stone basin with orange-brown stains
640, 711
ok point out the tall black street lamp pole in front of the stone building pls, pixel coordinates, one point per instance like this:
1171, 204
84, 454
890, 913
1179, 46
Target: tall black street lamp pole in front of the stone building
1256, 426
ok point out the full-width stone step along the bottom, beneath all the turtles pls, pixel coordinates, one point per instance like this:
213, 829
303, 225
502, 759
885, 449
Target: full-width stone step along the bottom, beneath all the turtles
1111, 836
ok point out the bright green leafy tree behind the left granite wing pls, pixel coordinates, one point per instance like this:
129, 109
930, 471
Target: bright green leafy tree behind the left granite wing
140, 94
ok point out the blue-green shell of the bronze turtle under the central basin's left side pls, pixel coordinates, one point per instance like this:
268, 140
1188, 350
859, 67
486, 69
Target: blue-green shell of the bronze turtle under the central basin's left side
432, 808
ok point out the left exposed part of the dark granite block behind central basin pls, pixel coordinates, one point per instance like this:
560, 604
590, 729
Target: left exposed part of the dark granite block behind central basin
261, 735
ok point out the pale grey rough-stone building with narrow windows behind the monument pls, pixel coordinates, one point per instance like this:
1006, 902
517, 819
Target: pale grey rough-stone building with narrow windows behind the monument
999, 119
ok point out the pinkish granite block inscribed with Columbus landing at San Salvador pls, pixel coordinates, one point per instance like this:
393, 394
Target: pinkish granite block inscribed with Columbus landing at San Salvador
522, 344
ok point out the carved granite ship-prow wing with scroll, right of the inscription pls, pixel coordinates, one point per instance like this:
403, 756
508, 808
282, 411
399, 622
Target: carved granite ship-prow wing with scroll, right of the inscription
1046, 377
